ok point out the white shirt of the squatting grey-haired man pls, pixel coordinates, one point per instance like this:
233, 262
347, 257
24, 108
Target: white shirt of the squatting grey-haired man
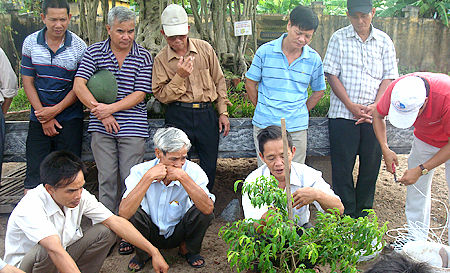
166, 205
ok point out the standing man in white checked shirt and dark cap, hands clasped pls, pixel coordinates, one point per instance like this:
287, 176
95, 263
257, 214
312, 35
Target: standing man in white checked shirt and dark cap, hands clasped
359, 64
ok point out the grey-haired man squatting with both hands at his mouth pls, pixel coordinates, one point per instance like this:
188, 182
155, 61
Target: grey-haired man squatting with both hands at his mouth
168, 201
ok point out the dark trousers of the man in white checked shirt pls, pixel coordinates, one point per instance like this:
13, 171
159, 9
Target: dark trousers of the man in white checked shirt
346, 141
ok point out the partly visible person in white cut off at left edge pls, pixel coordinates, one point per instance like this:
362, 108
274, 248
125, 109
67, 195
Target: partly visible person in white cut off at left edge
8, 90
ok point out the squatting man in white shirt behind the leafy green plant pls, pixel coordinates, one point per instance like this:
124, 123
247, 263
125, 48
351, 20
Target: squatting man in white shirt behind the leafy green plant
307, 184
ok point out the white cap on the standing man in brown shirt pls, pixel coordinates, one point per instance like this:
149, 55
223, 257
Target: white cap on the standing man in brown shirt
174, 20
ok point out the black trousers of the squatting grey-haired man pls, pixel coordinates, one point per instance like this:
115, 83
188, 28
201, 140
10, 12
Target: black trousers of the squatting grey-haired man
191, 229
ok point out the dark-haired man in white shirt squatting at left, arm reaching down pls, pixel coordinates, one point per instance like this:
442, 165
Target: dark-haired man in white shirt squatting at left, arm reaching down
44, 233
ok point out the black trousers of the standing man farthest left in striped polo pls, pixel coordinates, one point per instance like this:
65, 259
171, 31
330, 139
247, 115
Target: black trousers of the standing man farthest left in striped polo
39, 145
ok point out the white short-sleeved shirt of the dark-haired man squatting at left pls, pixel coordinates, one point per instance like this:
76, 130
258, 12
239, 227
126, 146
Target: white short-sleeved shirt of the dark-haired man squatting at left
37, 216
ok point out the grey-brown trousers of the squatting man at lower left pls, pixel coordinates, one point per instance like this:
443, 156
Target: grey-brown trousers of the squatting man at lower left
89, 252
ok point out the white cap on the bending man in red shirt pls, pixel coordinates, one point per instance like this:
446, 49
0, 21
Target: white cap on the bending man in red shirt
408, 96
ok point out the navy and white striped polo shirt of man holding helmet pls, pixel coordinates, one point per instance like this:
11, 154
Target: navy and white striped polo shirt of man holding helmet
135, 75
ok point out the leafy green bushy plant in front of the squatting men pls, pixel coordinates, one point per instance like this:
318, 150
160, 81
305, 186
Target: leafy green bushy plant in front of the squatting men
276, 245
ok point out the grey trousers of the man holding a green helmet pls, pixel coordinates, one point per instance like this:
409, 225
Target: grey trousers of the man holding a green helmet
114, 157
